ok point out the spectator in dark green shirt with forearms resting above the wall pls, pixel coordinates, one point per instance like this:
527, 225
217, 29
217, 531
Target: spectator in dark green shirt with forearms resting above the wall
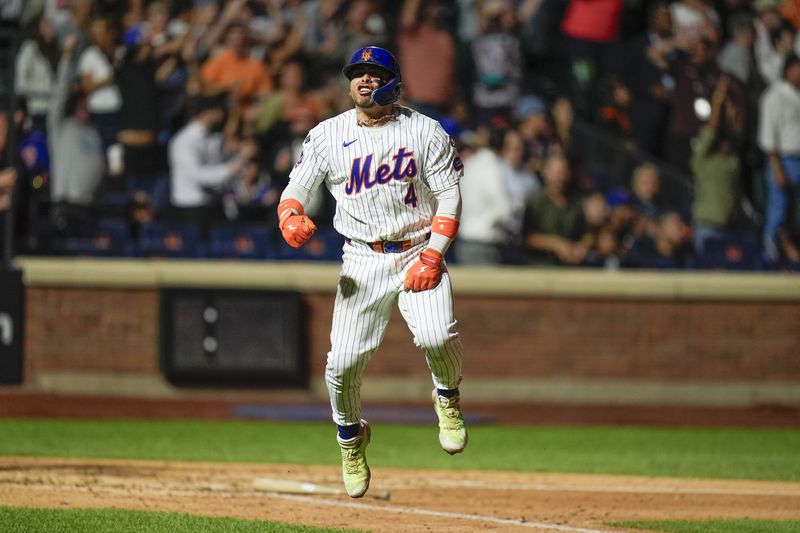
554, 228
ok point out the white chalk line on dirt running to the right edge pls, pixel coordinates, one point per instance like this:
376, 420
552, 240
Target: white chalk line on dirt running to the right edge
633, 489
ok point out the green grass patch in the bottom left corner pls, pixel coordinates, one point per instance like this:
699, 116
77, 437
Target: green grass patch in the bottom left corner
22, 520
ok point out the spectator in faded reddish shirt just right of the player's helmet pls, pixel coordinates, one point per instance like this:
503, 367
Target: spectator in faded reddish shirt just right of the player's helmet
427, 77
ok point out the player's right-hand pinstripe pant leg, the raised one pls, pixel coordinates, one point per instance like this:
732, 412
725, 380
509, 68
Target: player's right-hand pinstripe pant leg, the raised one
430, 317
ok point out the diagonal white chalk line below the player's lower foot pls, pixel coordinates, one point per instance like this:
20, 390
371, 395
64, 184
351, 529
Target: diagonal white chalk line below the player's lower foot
440, 514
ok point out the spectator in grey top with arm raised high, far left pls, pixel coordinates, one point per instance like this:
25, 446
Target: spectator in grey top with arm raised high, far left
77, 155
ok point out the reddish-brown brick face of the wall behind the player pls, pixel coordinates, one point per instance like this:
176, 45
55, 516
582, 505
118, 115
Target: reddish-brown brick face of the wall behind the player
116, 330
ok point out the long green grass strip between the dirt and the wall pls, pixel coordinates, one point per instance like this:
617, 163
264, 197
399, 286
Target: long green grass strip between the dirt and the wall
765, 454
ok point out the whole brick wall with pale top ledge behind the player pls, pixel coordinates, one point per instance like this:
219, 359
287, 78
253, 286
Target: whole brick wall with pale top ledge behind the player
529, 335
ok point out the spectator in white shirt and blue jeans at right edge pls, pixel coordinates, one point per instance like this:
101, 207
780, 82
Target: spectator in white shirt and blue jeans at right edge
779, 137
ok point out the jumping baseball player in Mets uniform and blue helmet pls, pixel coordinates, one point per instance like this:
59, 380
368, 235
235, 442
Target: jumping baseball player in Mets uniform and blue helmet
395, 176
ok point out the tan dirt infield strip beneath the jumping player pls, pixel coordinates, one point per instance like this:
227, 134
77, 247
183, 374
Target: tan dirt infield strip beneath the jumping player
421, 500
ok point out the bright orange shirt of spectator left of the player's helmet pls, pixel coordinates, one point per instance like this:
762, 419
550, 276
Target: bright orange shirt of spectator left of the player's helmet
247, 75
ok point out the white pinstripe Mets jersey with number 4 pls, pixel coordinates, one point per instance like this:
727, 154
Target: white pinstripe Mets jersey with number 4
383, 178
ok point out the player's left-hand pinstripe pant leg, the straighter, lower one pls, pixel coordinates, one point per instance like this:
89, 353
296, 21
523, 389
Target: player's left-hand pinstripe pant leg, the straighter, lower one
363, 306
